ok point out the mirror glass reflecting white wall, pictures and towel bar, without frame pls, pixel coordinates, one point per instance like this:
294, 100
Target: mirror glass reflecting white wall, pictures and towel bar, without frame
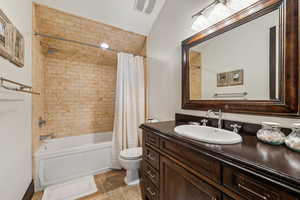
242, 63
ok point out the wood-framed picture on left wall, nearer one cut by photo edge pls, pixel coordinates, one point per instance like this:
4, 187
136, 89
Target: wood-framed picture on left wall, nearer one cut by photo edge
6, 31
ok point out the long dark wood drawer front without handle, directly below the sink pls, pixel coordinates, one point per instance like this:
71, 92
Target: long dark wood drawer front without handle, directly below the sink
204, 165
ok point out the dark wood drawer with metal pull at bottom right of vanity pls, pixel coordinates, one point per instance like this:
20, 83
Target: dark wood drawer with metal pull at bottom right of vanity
252, 188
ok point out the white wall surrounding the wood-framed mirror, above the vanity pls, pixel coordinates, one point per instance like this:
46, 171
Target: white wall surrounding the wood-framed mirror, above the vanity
164, 54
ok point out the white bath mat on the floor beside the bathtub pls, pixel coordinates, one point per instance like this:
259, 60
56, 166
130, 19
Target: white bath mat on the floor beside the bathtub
72, 190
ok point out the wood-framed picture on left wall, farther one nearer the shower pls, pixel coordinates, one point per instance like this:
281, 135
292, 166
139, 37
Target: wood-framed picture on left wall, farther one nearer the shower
18, 48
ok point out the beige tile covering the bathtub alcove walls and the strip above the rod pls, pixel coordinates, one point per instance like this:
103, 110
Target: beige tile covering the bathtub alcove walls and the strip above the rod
77, 82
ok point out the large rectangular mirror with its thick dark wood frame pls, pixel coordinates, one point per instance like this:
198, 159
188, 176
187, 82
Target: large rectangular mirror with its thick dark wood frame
247, 63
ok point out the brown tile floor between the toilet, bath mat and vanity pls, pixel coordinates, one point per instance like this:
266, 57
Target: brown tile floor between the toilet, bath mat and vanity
110, 186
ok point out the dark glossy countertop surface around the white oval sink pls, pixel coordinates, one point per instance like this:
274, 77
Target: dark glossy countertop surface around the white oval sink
277, 162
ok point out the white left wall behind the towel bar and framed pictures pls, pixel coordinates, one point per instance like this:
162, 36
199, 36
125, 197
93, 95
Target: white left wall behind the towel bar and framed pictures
15, 116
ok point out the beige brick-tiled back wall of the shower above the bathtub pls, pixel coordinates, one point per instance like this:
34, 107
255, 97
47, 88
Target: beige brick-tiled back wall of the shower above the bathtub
79, 97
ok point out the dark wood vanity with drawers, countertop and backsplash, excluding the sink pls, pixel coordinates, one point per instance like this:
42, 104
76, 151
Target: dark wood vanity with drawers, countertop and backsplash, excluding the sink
177, 168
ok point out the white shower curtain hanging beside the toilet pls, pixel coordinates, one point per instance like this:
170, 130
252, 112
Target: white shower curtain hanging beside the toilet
129, 106
